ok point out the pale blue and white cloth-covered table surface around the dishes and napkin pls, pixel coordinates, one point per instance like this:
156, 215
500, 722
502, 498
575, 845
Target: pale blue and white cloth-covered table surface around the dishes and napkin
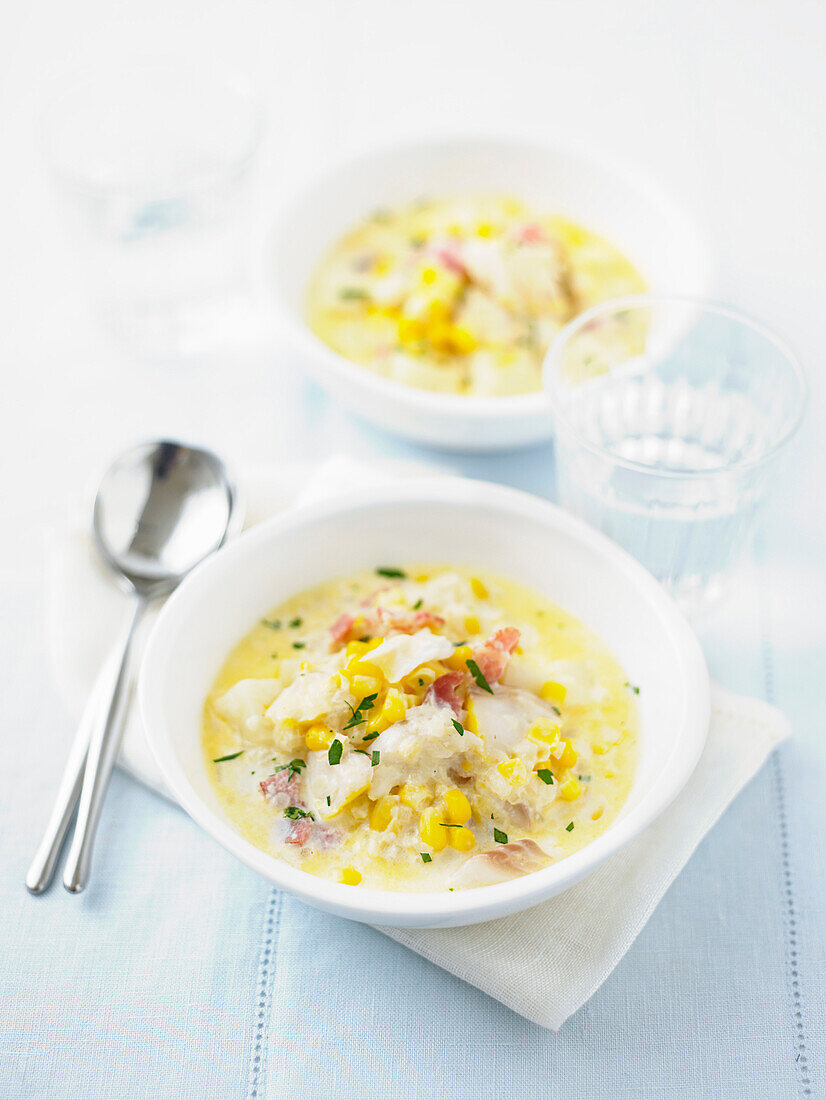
180, 974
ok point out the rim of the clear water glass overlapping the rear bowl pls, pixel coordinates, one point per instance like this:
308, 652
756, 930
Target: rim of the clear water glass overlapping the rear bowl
646, 301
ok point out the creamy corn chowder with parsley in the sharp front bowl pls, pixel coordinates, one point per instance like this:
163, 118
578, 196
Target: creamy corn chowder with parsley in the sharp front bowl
421, 730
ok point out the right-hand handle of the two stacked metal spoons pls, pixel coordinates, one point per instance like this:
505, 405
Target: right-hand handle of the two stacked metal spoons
104, 745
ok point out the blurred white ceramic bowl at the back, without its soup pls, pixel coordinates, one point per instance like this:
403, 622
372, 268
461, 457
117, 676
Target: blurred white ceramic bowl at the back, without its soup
627, 210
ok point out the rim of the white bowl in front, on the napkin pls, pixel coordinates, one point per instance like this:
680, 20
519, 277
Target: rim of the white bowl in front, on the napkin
439, 908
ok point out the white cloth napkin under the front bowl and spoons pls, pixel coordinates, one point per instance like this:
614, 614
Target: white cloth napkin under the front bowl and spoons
559, 953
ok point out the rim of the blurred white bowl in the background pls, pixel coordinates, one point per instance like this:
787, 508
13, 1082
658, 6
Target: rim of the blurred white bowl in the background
475, 409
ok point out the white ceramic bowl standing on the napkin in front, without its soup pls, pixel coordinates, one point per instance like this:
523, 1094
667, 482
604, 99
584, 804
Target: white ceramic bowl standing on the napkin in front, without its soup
442, 521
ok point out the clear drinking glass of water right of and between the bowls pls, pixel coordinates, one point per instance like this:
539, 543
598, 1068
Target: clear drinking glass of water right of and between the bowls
671, 420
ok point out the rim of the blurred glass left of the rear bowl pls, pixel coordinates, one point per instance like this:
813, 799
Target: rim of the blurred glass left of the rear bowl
232, 81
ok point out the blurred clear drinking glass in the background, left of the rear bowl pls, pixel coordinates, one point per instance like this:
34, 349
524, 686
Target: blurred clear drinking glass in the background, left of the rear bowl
153, 158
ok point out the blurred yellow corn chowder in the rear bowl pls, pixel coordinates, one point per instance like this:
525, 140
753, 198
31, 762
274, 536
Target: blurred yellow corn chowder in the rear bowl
462, 296
